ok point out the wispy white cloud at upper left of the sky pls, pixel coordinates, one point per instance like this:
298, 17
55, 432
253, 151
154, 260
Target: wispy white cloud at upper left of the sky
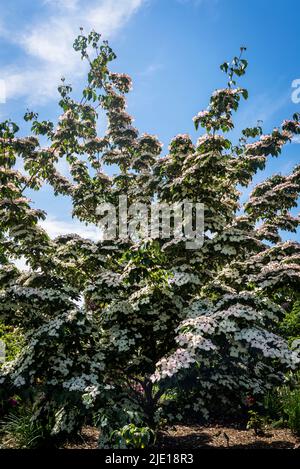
47, 44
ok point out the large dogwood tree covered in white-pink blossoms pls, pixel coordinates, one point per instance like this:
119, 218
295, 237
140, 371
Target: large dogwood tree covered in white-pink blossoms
115, 325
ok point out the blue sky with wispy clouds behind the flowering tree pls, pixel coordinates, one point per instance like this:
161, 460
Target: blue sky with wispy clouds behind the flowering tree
171, 48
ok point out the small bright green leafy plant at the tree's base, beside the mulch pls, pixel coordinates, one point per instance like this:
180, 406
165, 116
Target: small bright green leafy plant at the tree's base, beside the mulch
131, 436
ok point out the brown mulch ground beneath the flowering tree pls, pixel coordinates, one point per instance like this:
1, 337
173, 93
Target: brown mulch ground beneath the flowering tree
193, 437
